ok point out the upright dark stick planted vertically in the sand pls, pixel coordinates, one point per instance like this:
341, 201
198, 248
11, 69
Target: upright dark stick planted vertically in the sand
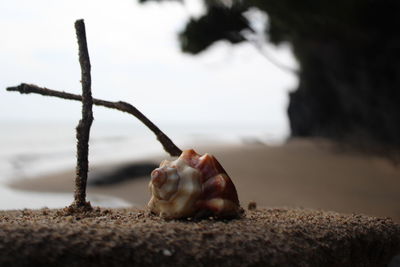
83, 128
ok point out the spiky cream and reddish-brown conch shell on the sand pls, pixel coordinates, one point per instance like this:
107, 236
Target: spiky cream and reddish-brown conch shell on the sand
192, 186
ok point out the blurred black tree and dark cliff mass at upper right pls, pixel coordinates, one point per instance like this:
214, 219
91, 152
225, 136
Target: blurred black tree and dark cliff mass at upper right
348, 53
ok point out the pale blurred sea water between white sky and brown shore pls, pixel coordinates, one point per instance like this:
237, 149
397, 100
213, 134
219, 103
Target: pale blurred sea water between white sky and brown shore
31, 149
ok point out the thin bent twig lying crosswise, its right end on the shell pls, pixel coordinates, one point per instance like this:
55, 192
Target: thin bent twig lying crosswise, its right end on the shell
165, 141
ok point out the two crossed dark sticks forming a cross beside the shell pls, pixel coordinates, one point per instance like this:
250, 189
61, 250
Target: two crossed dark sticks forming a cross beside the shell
83, 128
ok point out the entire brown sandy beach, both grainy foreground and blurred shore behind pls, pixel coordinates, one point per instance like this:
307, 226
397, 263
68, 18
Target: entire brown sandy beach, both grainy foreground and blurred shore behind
306, 202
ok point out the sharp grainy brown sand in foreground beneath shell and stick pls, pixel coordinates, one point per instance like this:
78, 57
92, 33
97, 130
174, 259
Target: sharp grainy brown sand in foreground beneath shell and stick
131, 237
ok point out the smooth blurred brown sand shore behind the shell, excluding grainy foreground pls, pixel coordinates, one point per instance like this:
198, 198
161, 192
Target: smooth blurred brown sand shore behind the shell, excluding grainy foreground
301, 173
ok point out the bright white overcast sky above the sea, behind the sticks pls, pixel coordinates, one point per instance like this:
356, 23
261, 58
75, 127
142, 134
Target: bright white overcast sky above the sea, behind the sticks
135, 57
